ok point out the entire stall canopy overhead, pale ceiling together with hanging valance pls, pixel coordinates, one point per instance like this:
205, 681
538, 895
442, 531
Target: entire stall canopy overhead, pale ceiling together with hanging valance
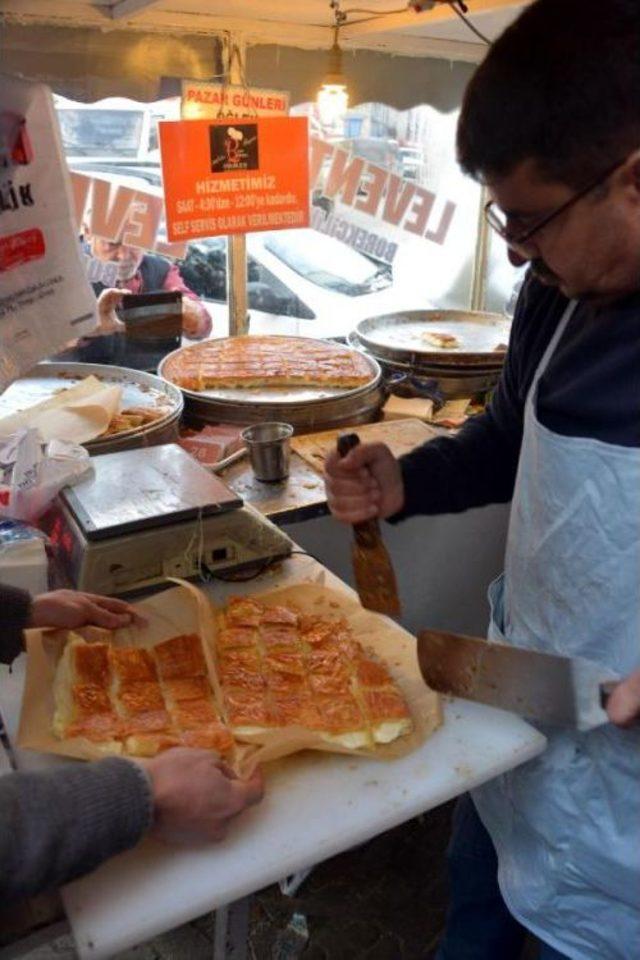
90, 49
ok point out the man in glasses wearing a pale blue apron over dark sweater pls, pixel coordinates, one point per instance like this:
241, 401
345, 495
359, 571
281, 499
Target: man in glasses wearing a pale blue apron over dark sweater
551, 124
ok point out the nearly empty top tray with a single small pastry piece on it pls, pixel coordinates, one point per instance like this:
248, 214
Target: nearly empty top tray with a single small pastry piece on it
398, 336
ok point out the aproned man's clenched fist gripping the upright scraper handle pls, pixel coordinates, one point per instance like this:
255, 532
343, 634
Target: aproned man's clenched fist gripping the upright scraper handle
366, 483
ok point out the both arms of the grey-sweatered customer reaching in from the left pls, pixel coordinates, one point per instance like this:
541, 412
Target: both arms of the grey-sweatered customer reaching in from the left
59, 824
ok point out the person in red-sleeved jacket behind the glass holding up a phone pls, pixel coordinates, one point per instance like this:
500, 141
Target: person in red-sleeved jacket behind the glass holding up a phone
137, 272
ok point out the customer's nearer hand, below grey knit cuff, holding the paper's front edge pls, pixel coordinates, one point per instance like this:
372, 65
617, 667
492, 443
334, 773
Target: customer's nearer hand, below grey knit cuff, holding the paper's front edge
196, 795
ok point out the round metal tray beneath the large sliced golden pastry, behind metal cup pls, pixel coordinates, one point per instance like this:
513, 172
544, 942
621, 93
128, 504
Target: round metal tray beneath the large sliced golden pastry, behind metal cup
305, 408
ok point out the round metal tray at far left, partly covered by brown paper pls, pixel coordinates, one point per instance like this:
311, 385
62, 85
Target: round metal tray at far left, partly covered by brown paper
139, 389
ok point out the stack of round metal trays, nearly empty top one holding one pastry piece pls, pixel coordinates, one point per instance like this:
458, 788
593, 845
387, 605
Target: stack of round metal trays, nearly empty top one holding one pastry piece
398, 343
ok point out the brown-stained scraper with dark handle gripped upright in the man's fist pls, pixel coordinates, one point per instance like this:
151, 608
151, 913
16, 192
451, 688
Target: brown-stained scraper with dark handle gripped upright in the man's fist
372, 568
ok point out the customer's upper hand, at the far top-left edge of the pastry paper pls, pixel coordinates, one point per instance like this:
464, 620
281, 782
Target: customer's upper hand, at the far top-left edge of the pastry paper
70, 609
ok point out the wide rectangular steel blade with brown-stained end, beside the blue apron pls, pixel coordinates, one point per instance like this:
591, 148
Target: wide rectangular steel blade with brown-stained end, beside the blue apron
554, 690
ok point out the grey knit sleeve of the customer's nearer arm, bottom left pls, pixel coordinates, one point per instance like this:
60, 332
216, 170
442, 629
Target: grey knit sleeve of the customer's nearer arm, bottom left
59, 824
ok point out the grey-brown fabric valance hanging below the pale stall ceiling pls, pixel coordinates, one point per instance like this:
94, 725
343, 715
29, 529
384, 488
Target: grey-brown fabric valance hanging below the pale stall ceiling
85, 64
